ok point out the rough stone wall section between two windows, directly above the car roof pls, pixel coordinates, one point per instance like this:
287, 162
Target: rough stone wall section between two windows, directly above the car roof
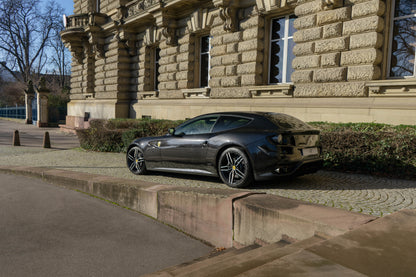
236, 57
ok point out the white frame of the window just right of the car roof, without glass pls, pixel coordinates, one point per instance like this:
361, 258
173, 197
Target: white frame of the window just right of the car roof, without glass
286, 38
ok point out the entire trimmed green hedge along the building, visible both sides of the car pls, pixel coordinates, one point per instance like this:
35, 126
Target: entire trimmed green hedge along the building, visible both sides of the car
354, 147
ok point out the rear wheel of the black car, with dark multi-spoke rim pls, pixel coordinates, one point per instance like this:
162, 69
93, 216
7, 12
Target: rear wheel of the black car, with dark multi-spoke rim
234, 168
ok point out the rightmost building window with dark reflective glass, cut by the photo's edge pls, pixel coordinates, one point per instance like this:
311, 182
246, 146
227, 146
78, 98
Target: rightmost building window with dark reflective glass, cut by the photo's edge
403, 39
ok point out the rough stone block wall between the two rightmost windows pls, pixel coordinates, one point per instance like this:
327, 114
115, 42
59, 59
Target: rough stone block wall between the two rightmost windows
337, 48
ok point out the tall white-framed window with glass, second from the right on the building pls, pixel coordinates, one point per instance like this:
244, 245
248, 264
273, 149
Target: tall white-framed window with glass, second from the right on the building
281, 46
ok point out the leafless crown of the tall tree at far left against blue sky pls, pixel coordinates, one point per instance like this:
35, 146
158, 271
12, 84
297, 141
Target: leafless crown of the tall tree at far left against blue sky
25, 31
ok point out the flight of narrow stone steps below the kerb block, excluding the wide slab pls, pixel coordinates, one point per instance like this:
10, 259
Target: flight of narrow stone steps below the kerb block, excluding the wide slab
236, 263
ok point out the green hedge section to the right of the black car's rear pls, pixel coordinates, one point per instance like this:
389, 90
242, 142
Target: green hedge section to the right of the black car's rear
369, 148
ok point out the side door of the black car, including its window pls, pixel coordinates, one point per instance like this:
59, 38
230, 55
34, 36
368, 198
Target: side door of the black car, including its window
186, 149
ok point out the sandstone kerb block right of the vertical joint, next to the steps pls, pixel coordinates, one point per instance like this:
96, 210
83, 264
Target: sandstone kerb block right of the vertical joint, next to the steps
270, 218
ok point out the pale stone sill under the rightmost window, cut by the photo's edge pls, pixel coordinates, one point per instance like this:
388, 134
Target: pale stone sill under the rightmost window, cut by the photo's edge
392, 87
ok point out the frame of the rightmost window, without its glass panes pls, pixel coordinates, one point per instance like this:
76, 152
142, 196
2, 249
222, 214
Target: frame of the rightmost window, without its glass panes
390, 43
